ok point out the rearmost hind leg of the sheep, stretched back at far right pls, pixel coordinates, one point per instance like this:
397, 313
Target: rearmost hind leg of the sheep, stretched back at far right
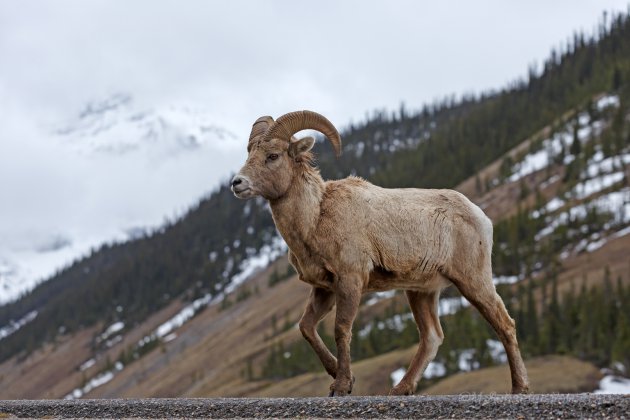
486, 299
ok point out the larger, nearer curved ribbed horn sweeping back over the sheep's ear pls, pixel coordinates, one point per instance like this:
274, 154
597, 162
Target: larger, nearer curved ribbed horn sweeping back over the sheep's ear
289, 124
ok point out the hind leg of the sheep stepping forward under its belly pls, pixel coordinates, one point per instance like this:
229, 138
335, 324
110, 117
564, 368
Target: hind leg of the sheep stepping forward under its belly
425, 311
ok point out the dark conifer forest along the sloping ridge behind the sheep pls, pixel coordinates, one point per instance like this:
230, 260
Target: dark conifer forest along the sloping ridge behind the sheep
200, 252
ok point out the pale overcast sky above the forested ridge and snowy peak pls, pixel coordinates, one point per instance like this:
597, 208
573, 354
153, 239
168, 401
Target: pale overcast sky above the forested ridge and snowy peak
238, 60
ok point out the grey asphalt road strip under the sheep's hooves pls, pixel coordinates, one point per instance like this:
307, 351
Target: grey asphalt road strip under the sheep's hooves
452, 406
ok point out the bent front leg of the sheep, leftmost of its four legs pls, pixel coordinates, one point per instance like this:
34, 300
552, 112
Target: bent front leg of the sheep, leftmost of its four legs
319, 304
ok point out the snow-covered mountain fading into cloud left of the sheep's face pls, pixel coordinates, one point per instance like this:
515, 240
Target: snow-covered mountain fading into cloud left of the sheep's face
112, 171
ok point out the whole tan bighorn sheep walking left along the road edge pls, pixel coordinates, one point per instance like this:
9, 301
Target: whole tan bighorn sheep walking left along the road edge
349, 237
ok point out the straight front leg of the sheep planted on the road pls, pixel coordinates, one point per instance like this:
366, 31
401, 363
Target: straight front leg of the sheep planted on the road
348, 296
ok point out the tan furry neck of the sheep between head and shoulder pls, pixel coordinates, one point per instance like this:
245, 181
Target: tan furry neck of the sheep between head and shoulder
297, 212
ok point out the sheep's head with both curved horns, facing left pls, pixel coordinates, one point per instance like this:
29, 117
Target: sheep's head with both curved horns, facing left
275, 156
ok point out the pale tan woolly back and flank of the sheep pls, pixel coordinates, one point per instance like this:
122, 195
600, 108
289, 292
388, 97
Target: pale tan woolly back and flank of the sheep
401, 230
